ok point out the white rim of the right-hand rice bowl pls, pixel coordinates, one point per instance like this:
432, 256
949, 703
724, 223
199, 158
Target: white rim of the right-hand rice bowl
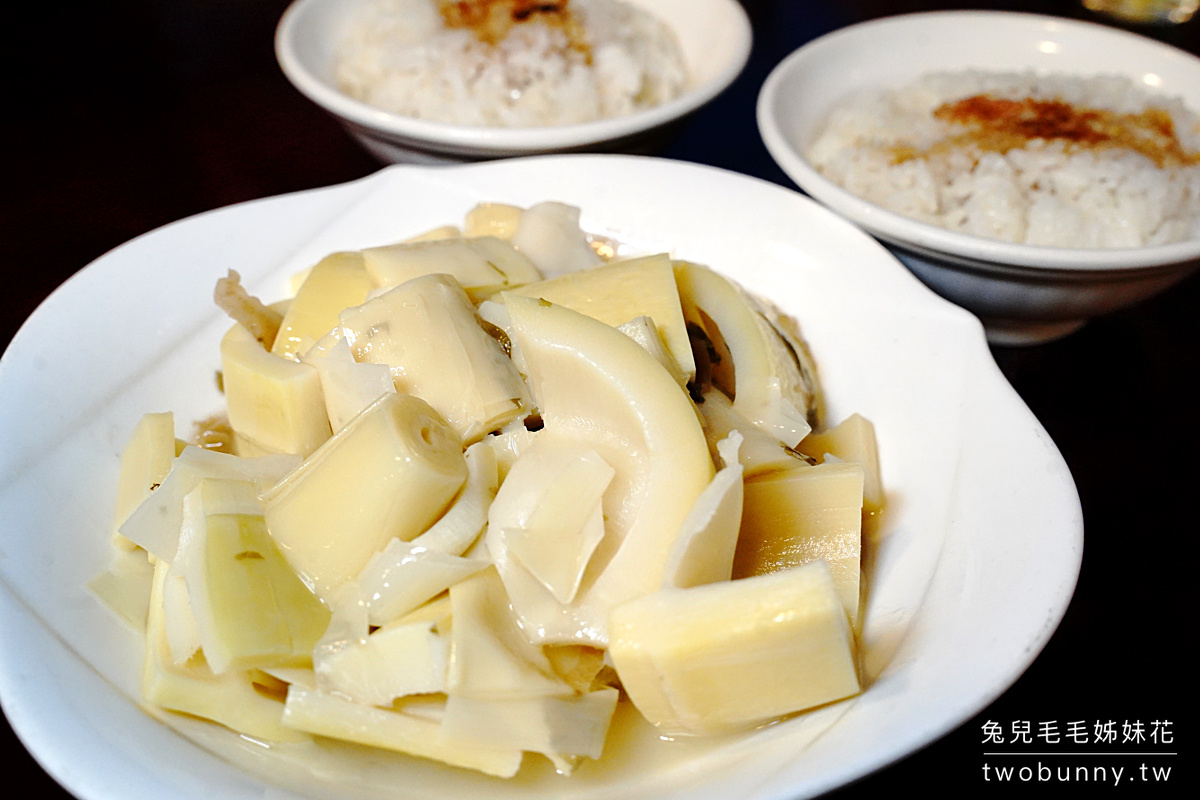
898, 230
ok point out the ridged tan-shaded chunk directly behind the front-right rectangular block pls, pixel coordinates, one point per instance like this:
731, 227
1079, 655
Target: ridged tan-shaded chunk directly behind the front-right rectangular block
799, 516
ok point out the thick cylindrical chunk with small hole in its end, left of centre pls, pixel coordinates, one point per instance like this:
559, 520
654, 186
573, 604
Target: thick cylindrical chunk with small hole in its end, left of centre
391, 473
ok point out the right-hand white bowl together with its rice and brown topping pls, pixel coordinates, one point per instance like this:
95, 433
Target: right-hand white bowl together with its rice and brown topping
1039, 172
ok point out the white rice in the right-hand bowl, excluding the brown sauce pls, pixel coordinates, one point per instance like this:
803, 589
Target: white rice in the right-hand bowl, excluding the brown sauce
1045, 194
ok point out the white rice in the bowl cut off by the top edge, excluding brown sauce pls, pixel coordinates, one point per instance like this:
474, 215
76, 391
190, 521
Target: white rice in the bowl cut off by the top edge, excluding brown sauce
400, 57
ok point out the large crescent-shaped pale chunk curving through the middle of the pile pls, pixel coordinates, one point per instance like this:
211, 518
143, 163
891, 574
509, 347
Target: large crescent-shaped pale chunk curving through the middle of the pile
601, 390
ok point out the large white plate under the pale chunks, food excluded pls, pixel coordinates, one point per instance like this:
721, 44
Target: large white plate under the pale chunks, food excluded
973, 570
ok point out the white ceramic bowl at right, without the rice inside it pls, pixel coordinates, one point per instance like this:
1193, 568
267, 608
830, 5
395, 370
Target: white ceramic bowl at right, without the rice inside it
1023, 293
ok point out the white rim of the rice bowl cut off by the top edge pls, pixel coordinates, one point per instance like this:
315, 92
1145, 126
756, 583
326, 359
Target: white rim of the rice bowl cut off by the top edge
501, 140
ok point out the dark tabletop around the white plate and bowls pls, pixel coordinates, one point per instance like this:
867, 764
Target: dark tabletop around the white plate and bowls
123, 117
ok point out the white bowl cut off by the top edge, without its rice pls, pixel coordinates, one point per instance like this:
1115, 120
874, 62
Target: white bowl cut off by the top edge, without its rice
715, 37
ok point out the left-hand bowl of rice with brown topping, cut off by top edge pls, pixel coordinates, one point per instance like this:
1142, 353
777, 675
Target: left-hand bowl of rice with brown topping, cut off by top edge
443, 81
